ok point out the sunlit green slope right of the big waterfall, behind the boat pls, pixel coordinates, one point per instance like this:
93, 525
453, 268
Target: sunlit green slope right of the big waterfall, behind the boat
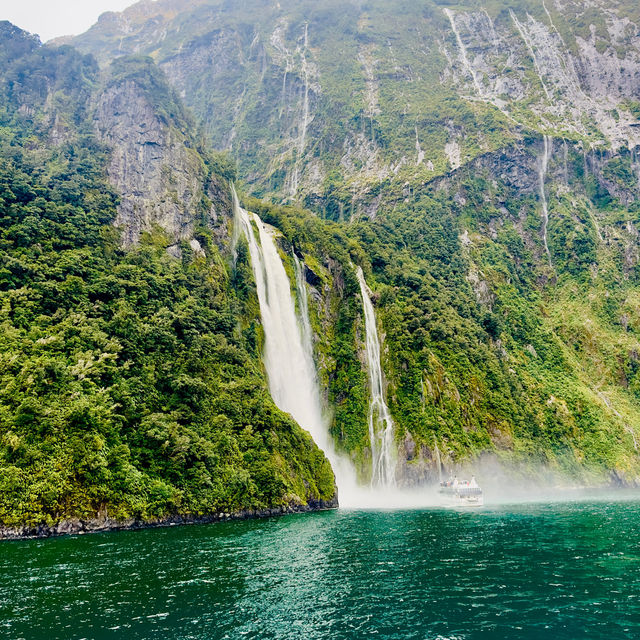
491, 345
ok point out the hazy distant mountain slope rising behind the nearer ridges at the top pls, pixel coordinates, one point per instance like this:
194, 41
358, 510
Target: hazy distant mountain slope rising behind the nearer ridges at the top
333, 102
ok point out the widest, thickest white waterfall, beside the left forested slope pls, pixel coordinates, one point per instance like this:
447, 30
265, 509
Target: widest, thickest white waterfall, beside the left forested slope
288, 345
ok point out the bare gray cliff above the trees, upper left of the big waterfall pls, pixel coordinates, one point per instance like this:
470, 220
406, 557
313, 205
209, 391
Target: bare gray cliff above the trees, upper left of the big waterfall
160, 179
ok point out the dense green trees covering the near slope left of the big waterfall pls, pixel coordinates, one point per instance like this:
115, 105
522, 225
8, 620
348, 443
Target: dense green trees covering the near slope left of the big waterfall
127, 386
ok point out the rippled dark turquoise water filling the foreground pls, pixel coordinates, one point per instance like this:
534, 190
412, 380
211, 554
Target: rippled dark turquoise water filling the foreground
567, 570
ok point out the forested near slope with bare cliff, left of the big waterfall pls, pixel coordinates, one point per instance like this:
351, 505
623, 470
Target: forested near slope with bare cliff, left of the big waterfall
130, 381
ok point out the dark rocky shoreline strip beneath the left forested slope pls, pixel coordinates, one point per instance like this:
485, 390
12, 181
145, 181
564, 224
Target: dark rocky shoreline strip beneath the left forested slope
76, 526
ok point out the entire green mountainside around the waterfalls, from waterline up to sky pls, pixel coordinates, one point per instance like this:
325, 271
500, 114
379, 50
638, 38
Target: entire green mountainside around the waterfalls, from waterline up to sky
478, 162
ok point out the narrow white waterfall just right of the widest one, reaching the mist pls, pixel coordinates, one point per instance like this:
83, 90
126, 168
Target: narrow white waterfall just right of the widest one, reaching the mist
381, 428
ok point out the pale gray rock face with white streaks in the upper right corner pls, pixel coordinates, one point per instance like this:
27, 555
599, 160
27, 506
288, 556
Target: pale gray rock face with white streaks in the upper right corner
576, 87
